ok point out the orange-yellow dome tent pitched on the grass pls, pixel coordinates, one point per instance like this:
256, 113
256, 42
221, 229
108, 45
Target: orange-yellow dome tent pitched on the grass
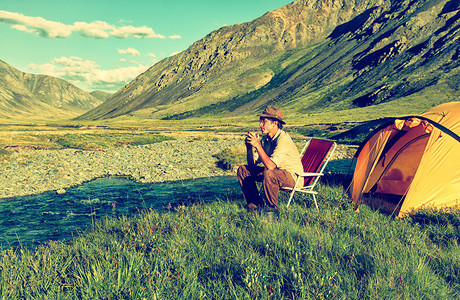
411, 162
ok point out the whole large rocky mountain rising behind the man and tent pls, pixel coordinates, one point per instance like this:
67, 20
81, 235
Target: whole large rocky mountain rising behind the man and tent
309, 56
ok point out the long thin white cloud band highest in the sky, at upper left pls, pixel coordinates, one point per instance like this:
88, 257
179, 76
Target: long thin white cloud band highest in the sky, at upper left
95, 29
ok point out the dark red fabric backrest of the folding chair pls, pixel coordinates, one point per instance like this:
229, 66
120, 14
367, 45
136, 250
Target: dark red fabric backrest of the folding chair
315, 157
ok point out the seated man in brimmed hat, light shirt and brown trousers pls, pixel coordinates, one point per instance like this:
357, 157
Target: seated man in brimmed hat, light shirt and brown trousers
273, 161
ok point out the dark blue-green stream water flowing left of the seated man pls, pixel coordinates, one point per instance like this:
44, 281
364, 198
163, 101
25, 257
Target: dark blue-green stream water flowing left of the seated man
34, 220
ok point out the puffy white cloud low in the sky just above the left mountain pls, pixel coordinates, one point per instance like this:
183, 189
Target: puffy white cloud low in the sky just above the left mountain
87, 74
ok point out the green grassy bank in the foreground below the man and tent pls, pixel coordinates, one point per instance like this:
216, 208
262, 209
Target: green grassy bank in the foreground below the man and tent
219, 251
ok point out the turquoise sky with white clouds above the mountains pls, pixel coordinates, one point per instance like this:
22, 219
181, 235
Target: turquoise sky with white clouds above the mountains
104, 44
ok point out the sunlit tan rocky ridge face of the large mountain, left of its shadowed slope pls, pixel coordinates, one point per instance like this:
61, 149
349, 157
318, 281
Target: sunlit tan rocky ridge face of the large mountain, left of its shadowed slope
192, 73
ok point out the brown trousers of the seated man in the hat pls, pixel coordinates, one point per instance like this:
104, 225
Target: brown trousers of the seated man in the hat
272, 181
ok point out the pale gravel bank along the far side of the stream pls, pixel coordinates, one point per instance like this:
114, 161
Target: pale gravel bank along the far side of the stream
30, 172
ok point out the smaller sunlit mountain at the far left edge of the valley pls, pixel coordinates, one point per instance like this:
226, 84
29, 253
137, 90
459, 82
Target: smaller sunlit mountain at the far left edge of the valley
30, 96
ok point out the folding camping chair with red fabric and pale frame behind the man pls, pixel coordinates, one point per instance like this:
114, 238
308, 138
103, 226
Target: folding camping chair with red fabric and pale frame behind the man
314, 156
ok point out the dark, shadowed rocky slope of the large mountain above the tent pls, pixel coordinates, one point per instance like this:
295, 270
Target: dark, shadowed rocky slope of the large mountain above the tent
377, 61
